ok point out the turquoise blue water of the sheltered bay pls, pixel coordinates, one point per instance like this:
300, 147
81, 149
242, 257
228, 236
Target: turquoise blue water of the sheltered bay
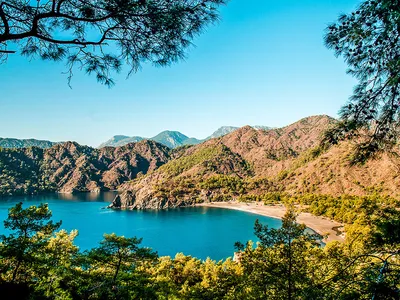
198, 231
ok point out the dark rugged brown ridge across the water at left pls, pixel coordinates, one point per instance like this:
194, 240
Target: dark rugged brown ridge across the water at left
70, 167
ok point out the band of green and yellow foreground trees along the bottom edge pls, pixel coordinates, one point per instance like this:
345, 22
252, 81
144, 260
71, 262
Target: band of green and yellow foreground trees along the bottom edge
39, 262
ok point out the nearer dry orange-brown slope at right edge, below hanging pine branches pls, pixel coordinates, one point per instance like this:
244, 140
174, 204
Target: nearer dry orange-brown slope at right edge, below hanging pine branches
331, 173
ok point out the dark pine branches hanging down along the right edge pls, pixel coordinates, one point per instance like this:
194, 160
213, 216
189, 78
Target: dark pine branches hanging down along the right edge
368, 39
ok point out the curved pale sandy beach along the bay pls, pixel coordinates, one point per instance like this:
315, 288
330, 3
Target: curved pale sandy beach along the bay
320, 225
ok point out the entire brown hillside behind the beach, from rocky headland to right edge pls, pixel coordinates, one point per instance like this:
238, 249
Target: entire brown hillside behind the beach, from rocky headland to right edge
250, 164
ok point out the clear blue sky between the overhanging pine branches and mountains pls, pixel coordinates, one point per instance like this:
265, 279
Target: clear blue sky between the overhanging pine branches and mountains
264, 64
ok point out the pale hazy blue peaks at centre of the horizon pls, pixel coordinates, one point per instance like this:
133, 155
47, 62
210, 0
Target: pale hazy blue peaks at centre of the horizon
172, 139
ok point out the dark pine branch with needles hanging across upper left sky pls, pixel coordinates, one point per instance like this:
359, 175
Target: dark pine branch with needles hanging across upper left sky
98, 36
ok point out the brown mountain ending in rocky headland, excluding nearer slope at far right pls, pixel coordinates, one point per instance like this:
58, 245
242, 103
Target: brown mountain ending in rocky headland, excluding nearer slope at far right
240, 162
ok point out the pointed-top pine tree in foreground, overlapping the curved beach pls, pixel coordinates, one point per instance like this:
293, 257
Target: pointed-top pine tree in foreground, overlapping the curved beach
281, 266
